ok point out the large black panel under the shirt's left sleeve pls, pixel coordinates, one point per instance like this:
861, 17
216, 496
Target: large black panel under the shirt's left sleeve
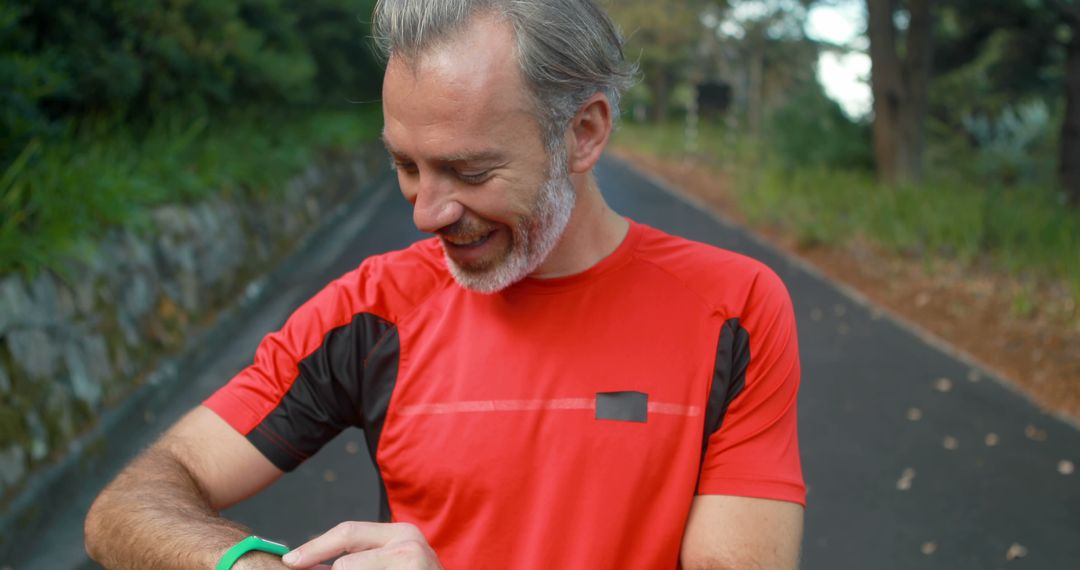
346, 383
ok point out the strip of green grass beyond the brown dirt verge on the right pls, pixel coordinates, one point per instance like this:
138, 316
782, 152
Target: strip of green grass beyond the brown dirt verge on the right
1019, 229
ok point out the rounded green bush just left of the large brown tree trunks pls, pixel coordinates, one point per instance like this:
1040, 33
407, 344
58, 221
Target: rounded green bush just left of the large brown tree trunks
812, 131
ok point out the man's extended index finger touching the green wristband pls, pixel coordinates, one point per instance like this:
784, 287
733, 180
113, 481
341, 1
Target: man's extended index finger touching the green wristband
347, 538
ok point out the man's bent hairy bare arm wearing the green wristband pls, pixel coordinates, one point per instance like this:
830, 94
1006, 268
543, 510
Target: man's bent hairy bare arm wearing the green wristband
161, 511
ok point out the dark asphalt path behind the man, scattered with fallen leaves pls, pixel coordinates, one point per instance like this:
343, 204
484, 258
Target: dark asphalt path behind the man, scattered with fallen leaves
913, 458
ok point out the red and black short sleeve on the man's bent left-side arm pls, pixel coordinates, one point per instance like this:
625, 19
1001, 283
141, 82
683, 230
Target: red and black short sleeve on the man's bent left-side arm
305, 384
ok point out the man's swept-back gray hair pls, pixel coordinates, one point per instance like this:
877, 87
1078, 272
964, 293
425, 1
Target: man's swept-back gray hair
568, 50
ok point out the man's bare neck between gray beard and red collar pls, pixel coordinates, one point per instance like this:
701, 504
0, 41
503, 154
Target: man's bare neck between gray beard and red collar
593, 234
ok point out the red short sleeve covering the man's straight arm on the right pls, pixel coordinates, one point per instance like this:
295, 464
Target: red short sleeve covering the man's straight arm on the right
754, 450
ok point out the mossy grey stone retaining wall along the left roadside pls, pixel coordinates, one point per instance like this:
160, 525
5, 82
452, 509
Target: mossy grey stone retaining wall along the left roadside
77, 342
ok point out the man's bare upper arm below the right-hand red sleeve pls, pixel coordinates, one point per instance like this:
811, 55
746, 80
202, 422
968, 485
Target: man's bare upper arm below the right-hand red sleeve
741, 534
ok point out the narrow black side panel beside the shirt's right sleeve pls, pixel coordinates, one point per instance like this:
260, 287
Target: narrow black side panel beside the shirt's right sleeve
730, 376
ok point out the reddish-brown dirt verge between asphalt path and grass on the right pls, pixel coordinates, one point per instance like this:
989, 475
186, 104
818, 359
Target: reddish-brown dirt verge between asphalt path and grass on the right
1028, 333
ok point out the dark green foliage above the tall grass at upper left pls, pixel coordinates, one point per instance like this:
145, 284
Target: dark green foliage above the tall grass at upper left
134, 61
